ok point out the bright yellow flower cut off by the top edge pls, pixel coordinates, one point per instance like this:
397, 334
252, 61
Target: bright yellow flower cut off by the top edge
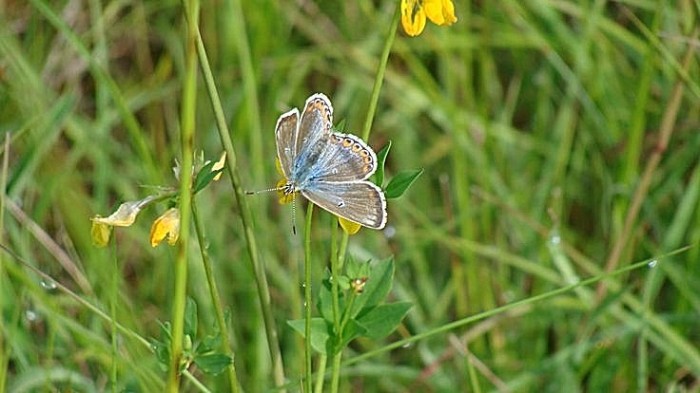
414, 13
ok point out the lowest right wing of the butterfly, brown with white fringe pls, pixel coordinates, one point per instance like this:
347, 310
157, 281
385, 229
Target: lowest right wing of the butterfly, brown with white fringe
360, 201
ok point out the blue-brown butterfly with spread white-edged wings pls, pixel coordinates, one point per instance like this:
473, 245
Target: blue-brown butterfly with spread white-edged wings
328, 168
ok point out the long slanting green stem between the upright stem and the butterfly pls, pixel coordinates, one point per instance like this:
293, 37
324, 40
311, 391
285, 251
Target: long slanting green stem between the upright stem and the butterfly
245, 216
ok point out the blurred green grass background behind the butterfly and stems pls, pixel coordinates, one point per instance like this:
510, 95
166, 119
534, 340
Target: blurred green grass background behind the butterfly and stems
557, 138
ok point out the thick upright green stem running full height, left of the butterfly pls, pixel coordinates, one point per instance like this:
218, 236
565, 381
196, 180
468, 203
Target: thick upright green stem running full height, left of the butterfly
187, 128
